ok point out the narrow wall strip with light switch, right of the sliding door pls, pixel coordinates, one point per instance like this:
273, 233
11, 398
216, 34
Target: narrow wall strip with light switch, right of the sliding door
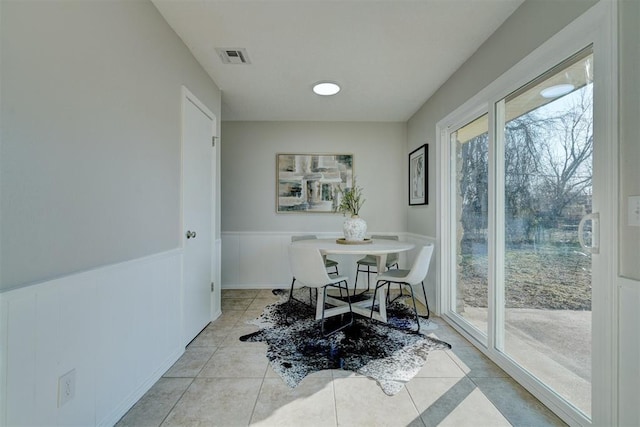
629, 237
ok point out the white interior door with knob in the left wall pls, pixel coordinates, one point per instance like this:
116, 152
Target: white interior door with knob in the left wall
197, 230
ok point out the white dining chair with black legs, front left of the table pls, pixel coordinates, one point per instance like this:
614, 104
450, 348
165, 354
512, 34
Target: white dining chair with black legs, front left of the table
307, 266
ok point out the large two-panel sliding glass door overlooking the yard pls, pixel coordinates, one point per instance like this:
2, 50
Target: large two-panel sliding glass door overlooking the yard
520, 235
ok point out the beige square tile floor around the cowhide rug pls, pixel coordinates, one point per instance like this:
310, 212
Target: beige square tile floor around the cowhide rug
221, 381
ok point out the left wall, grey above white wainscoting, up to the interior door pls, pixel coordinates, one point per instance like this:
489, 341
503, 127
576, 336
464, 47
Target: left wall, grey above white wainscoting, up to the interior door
90, 258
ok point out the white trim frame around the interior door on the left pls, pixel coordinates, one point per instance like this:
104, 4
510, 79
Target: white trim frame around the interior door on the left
187, 96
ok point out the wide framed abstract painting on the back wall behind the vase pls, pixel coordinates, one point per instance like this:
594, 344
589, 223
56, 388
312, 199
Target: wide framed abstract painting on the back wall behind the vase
310, 182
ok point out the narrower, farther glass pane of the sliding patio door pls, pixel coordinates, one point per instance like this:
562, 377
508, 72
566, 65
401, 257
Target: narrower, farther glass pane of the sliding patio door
469, 298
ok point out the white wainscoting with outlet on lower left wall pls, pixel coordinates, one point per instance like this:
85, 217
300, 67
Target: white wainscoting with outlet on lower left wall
118, 327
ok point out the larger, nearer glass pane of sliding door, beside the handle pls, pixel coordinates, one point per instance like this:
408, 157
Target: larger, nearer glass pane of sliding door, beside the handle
546, 294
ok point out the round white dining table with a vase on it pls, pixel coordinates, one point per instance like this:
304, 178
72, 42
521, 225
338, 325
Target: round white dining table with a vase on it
379, 248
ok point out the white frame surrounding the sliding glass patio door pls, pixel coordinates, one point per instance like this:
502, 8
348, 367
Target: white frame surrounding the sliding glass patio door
597, 26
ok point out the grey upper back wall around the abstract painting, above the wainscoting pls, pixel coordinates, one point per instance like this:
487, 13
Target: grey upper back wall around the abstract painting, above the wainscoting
249, 172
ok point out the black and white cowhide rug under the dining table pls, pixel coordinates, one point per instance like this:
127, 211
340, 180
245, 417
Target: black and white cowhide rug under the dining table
387, 353
